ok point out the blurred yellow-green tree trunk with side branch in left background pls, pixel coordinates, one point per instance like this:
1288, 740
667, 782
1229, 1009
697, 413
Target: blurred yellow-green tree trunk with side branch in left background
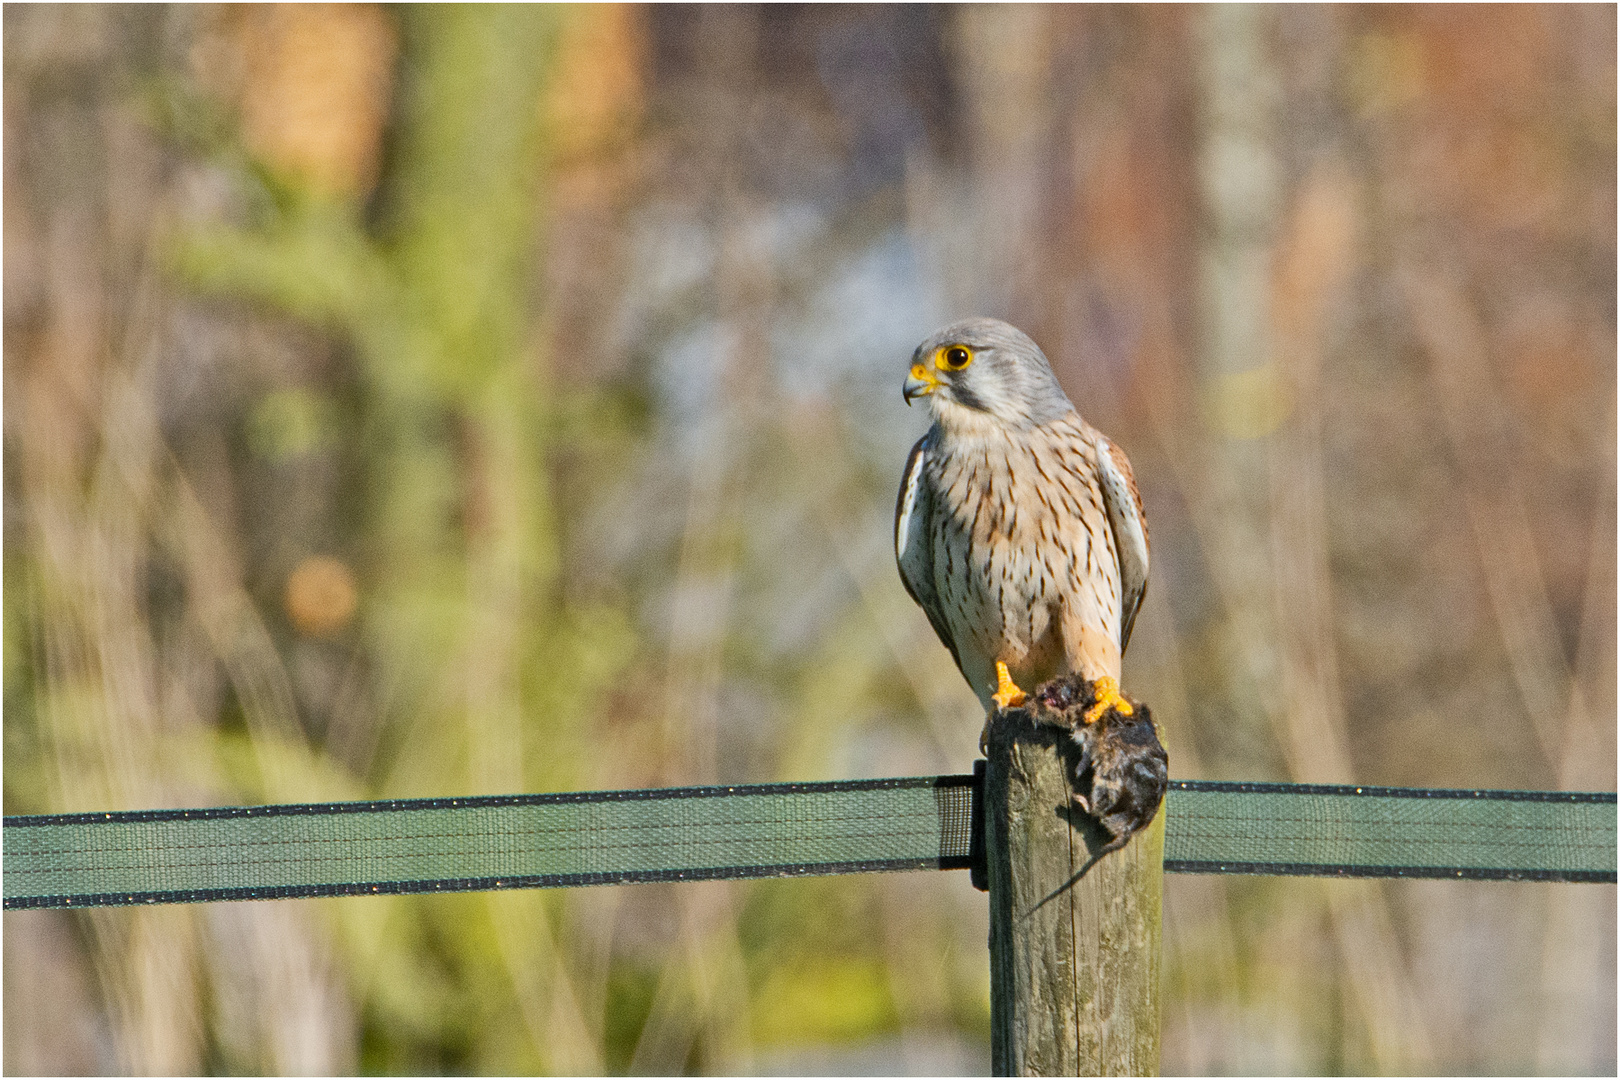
492, 668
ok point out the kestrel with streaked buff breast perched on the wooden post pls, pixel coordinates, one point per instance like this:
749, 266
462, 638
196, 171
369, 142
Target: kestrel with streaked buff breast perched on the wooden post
1018, 527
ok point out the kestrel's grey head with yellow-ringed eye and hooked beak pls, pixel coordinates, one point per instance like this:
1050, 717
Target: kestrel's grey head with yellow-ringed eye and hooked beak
981, 370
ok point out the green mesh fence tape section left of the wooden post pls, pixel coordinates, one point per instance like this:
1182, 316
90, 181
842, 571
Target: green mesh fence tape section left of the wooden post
501, 843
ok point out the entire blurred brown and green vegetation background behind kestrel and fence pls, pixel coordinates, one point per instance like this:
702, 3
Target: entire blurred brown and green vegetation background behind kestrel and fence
475, 401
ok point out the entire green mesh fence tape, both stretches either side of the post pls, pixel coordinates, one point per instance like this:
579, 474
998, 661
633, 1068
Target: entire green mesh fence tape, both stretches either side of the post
780, 830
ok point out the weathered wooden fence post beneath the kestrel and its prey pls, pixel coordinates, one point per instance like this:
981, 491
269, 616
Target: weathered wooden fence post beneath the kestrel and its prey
1073, 963
